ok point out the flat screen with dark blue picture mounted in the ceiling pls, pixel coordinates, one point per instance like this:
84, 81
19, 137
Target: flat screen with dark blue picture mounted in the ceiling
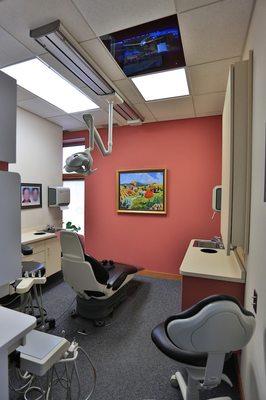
151, 47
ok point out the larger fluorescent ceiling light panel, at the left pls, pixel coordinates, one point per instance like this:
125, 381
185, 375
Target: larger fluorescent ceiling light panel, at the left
36, 77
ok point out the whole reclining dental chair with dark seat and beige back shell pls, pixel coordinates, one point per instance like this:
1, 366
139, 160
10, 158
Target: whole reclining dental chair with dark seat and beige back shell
100, 289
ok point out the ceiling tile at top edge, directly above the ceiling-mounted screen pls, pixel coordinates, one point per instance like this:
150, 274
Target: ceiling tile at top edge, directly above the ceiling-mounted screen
105, 16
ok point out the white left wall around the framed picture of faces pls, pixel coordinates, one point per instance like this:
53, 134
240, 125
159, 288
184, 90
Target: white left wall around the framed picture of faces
39, 160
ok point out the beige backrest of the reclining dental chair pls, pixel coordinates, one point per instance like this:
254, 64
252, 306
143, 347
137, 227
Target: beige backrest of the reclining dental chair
78, 272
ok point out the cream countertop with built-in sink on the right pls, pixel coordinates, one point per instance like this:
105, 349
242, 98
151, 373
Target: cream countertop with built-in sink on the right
217, 265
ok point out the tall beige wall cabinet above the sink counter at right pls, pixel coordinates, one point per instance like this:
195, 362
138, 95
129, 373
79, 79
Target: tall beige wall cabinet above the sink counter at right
236, 158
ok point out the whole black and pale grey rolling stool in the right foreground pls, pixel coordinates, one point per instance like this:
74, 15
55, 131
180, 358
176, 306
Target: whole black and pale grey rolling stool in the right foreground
200, 339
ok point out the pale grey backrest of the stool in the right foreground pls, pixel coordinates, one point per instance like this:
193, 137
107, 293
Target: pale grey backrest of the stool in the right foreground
216, 324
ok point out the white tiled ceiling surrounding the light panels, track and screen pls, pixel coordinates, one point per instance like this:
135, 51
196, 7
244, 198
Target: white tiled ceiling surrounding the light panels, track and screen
213, 34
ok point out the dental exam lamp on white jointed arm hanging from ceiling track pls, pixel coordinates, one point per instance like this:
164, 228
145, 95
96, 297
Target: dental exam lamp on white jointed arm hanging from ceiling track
82, 162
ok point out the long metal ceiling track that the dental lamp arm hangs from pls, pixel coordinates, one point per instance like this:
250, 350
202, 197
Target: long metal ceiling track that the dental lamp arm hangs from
57, 41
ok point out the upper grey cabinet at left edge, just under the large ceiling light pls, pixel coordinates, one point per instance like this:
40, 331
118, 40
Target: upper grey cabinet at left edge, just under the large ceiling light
8, 109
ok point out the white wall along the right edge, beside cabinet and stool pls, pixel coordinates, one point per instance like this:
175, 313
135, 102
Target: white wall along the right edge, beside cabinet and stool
253, 364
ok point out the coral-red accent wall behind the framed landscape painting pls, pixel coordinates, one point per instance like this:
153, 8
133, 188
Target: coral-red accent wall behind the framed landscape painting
190, 149
